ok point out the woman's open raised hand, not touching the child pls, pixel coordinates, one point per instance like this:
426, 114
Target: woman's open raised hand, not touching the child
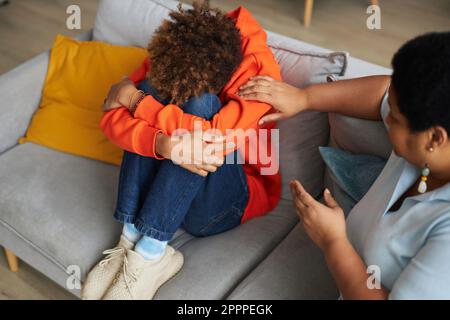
325, 224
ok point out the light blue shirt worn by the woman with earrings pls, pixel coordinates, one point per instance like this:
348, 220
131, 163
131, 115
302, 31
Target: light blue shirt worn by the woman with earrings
411, 246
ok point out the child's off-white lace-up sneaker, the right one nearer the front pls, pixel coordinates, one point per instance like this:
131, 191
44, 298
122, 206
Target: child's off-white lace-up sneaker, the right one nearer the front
140, 279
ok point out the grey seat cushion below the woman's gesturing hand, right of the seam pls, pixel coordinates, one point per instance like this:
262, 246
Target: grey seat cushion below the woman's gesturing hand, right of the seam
295, 270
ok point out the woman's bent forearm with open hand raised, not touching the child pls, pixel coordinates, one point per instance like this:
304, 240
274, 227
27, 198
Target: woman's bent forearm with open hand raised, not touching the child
325, 225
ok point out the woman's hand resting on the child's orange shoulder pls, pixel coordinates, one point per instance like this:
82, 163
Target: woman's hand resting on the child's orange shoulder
286, 99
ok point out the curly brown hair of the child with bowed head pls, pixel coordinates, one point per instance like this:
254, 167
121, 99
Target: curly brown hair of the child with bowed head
195, 52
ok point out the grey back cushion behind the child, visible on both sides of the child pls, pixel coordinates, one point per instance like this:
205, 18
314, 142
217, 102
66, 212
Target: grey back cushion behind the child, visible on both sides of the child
132, 22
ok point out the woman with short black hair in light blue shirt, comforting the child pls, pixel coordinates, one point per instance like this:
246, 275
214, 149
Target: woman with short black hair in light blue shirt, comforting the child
402, 226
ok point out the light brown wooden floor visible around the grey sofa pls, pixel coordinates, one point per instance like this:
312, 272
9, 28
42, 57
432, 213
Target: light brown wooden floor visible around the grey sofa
28, 27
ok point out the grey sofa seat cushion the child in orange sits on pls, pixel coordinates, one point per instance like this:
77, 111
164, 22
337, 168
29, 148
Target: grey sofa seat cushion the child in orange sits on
63, 205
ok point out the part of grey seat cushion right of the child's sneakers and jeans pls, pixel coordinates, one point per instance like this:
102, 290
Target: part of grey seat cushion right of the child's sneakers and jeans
215, 265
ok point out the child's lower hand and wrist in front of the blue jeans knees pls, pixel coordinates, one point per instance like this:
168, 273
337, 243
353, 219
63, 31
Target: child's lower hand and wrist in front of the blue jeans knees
199, 152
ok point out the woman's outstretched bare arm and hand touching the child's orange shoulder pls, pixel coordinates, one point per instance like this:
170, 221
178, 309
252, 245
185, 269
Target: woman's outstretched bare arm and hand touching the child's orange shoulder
359, 97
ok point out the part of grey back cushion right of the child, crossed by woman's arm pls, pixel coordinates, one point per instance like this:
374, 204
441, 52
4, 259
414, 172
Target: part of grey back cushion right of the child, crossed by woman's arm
301, 135
